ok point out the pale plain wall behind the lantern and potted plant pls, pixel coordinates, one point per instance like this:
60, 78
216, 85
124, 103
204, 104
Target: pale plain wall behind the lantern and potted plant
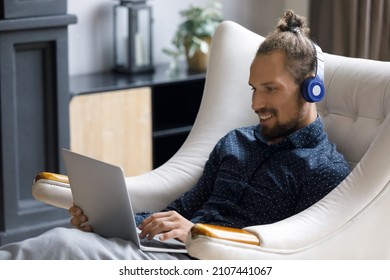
90, 40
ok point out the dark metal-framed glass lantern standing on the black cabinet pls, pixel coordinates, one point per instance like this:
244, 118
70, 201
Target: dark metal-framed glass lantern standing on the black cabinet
133, 37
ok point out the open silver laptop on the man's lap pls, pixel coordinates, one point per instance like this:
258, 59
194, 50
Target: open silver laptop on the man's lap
100, 190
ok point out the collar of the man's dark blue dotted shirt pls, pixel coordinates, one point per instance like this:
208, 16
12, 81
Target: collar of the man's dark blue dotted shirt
305, 137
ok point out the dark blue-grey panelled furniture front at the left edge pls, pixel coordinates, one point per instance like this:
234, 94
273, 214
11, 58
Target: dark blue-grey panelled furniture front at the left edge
34, 96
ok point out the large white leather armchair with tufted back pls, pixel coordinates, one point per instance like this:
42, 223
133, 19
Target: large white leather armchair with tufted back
351, 222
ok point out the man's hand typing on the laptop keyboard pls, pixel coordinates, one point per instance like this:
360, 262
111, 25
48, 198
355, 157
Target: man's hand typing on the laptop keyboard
170, 224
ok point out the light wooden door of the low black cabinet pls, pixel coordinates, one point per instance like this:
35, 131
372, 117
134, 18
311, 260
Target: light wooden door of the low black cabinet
115, 127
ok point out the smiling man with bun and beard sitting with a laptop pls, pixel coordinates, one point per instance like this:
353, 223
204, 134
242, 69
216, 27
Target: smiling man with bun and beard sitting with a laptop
255, 175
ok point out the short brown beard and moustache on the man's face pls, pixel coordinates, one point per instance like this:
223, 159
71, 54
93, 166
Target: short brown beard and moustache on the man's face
282, 130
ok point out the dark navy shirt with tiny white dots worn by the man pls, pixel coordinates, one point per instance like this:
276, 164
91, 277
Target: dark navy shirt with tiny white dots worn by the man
248, 182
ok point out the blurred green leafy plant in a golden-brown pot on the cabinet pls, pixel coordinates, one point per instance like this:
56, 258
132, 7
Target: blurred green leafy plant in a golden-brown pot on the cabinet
193, 36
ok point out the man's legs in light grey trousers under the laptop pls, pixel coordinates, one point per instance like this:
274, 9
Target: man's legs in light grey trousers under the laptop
63, 243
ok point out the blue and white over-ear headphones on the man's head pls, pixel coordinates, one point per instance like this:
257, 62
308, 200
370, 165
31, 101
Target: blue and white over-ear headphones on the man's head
312, 88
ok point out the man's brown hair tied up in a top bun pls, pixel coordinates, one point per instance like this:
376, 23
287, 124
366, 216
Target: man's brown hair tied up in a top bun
292, 36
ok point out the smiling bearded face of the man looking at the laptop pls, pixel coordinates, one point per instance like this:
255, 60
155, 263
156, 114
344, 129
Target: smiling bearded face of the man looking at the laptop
276, 98
